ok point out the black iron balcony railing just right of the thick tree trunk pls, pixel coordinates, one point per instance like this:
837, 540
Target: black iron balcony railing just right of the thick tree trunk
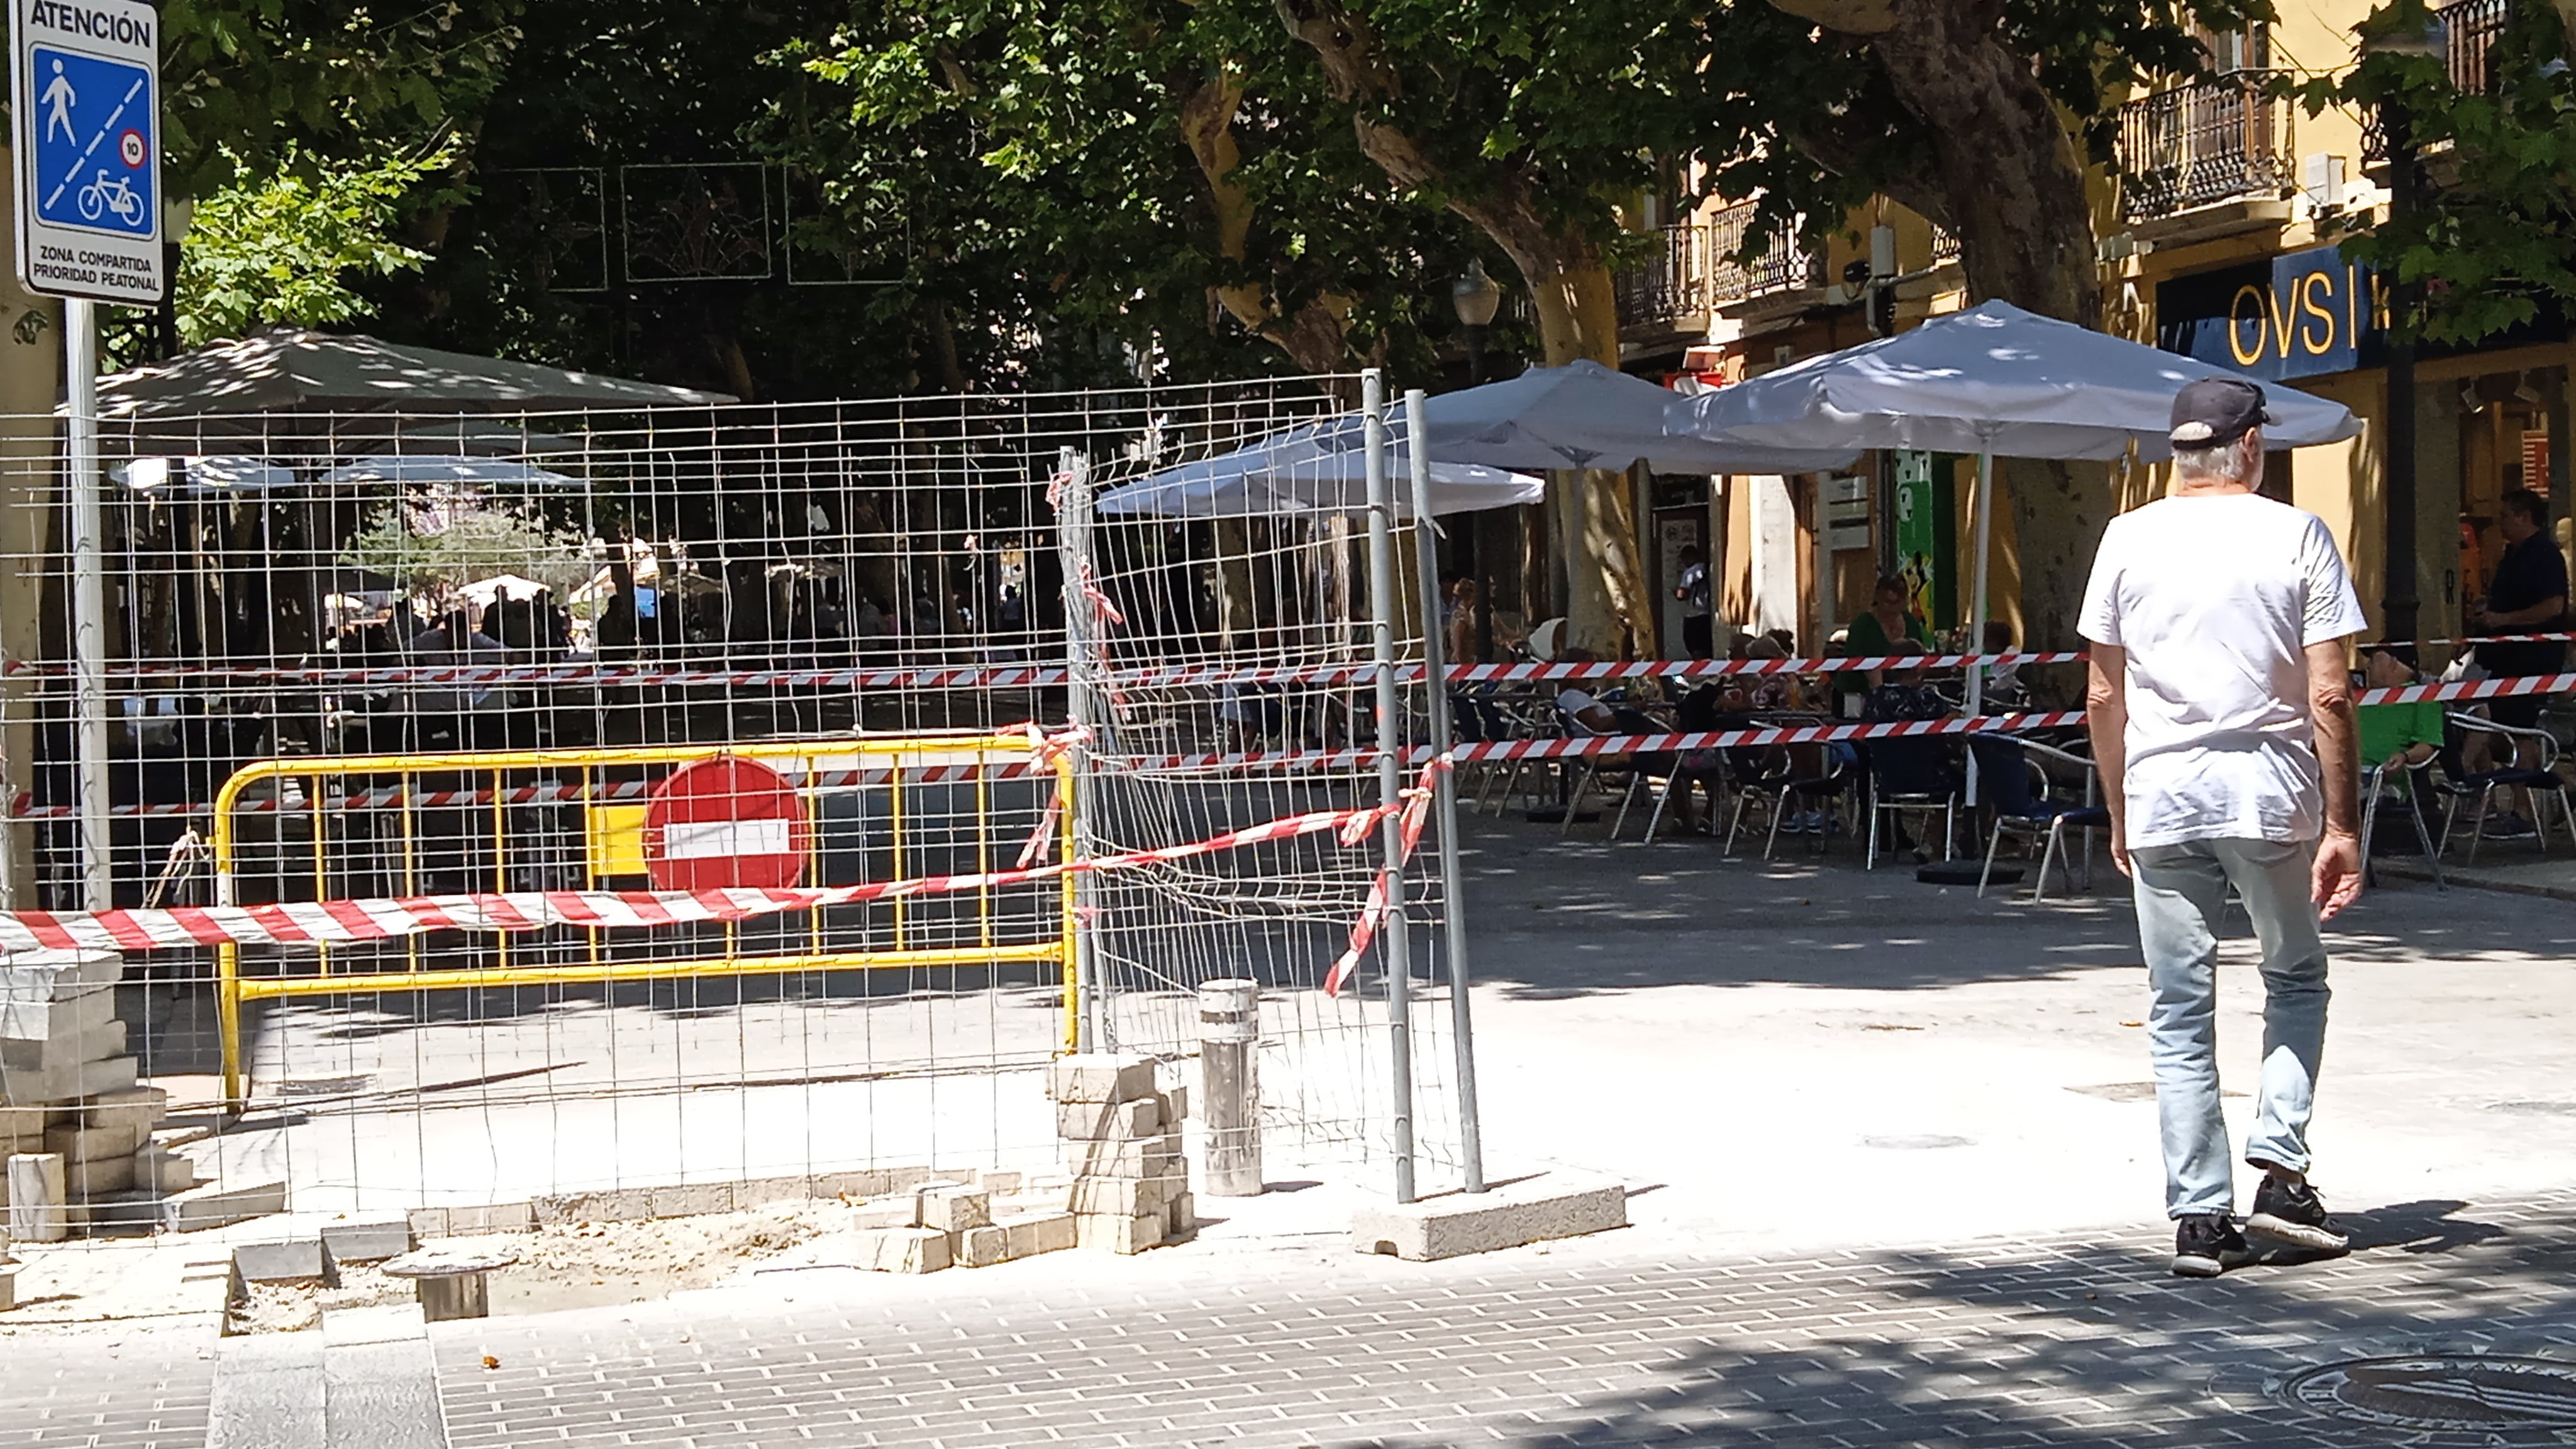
2206, 143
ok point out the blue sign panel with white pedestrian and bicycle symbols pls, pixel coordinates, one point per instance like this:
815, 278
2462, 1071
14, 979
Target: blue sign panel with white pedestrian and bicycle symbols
94, 128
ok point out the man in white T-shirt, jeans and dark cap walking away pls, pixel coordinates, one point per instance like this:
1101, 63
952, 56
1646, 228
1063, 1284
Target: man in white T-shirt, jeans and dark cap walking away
2222, 721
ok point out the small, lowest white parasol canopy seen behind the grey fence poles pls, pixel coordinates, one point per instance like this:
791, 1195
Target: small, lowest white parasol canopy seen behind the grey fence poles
1320, 468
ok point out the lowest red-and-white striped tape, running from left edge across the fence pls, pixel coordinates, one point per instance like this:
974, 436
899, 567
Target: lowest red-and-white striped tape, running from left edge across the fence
344, 922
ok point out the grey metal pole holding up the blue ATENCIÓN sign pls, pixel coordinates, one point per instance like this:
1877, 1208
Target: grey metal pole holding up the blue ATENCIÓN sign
89, 602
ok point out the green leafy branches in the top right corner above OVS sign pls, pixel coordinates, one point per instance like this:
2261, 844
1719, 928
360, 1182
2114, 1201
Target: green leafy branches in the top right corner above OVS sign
2492, 236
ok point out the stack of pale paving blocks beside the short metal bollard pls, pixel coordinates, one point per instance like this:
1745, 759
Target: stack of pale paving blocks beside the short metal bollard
1122, 1143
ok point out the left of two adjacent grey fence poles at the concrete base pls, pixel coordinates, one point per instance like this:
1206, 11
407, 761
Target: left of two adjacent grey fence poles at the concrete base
1382, 628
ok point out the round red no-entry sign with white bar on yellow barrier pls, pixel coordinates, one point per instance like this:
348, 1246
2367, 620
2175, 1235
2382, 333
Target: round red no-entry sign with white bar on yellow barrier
725, 824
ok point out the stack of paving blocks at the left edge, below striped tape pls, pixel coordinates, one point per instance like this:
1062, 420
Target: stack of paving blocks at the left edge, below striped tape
73, 1123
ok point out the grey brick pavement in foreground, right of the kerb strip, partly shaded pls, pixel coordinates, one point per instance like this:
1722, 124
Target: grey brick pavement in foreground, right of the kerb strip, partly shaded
2062, 1339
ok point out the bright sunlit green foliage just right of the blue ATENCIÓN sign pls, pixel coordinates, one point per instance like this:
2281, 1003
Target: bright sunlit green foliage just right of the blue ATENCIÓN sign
285, 246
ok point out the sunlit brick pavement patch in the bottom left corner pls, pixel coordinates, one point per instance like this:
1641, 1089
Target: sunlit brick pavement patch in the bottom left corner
107, 1388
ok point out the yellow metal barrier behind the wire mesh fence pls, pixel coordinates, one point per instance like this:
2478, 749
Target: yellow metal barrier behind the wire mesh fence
609, 852
